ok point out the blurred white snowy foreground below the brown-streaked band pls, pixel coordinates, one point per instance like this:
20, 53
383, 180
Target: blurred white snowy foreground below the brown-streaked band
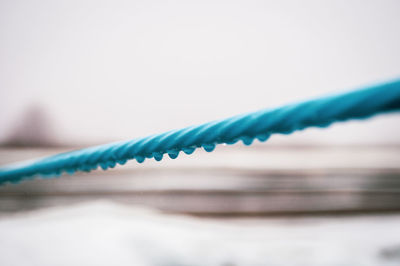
104, 233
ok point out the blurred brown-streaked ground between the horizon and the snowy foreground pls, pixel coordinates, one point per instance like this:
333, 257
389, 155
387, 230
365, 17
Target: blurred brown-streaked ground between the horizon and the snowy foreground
231, 181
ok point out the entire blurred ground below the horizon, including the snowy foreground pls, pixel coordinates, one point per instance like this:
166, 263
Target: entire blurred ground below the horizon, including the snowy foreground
247, 206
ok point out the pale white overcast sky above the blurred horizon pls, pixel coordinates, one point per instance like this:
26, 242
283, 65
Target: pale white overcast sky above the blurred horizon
111, 70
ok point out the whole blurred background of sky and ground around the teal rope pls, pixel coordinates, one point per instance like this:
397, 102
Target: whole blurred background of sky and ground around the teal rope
81, 73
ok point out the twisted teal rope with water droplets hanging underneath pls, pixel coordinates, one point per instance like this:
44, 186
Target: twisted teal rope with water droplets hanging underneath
321, 112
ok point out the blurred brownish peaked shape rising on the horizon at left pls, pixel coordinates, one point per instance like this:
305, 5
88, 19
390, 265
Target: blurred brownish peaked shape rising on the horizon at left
32, 130
